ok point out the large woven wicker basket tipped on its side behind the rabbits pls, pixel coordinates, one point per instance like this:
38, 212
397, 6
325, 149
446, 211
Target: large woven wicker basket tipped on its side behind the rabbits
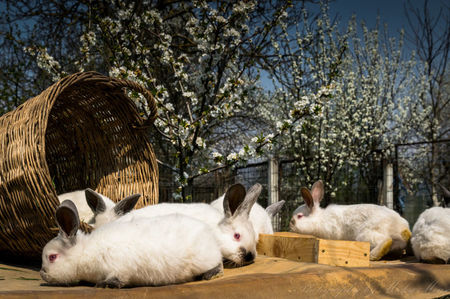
83, 131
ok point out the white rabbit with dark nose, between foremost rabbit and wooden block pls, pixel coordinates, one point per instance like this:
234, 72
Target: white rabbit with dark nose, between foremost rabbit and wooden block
237, 238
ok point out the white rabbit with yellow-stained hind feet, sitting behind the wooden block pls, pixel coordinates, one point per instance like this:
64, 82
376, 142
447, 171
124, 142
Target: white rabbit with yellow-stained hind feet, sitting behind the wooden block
385, 229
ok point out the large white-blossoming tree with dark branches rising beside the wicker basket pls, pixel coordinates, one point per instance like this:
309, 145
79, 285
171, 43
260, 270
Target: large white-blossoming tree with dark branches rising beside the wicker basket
198, 59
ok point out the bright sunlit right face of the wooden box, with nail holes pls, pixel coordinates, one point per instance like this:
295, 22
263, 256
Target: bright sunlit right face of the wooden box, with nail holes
343, 253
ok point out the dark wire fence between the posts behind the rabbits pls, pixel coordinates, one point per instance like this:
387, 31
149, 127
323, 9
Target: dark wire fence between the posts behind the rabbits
367, 186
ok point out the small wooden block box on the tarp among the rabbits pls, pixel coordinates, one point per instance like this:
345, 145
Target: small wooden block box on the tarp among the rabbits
305, 248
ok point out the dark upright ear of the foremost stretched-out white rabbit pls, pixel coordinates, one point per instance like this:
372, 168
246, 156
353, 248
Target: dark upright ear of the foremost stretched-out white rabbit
67, 218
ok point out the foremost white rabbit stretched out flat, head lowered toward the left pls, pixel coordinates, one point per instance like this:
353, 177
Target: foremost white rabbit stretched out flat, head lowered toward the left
156, 251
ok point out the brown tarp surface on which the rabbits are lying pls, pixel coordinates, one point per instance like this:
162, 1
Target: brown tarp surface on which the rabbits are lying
266, 278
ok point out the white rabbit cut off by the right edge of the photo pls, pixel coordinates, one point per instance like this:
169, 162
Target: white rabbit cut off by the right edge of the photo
431, 236
